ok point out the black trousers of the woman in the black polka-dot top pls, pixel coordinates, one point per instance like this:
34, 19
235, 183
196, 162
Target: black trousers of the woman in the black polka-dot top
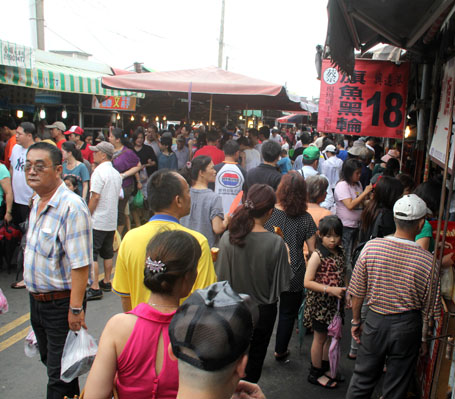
289, 308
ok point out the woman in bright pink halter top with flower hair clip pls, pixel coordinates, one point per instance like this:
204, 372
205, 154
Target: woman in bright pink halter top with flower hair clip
133, 354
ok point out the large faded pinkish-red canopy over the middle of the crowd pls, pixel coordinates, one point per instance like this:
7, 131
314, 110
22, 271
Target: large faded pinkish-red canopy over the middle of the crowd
226, 88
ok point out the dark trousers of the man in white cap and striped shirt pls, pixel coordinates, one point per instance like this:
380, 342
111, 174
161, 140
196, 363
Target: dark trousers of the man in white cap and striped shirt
396, 338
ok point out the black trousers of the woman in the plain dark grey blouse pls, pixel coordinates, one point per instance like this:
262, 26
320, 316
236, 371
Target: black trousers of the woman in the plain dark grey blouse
260, 342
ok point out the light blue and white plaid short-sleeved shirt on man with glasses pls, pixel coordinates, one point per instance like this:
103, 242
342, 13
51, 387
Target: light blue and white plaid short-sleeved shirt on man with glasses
58, 240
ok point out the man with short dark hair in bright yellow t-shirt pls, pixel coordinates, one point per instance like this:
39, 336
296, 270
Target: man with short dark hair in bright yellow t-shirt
169, 198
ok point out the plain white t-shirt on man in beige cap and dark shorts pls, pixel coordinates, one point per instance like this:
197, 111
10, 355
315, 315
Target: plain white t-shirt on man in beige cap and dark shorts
106, 182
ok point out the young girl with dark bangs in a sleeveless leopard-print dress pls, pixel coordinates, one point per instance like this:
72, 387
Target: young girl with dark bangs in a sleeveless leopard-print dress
325, 280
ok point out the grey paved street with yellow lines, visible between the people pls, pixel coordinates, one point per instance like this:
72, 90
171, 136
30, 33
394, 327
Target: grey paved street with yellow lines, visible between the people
22, 377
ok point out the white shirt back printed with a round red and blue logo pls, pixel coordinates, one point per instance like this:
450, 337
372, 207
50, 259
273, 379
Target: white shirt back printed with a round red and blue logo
229, 182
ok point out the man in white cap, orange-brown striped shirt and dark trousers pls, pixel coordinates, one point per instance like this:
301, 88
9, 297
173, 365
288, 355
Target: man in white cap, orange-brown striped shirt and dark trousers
393, 275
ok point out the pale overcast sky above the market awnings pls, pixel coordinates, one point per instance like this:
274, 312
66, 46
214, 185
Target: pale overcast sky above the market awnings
266, 39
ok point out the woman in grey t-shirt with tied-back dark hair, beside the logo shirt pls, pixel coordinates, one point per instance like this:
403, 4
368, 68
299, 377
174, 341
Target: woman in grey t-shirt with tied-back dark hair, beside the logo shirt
206, 215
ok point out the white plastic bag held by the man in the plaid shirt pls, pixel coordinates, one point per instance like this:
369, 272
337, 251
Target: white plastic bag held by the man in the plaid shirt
78, 354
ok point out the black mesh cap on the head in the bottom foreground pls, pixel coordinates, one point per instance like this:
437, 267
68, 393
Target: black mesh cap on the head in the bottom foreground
213, 327
